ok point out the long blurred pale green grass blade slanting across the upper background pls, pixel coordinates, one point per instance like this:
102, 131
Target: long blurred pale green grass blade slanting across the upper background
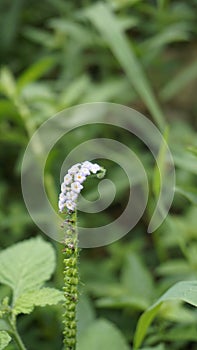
106, 22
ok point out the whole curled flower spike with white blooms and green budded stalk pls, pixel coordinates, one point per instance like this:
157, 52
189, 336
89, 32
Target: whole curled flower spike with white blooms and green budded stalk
70, 190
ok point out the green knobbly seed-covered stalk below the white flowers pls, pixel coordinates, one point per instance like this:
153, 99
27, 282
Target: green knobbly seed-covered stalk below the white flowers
71, 280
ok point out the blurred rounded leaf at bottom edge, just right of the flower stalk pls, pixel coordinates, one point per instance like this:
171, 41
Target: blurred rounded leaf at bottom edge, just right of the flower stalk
102, 334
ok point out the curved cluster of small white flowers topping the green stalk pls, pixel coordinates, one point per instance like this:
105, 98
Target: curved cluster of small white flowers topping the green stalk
72, 184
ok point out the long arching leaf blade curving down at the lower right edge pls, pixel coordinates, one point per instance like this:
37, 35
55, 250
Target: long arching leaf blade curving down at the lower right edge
184, 291
